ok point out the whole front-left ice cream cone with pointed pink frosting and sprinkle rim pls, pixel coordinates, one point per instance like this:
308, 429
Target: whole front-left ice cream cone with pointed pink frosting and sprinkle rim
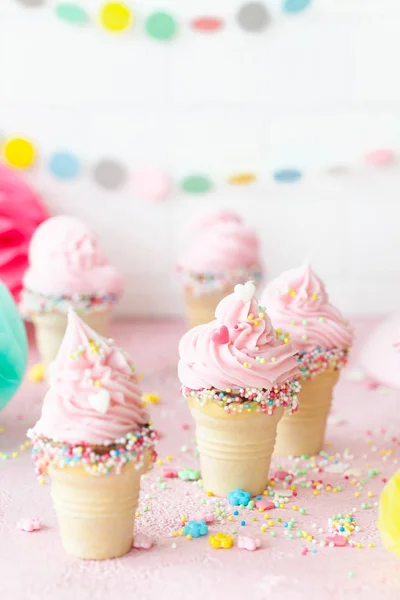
94, 440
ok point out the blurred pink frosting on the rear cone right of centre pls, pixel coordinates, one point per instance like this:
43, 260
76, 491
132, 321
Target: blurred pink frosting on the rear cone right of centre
219, 245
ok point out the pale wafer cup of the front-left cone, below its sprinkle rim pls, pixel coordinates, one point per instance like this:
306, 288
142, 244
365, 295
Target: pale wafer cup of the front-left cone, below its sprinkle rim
96, 513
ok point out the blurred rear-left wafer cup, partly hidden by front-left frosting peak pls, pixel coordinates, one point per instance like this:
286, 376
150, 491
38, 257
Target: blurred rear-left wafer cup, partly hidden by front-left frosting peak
50, 329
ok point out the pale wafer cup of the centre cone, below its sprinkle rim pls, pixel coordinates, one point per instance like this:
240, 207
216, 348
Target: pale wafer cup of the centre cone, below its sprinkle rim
235, 450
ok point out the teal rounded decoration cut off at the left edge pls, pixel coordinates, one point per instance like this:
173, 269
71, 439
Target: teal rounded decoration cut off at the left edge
13, 347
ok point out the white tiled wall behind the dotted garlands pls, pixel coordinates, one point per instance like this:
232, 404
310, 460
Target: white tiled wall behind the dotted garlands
313, 91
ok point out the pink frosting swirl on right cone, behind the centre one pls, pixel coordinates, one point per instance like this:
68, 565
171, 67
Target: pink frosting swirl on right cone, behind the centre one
298, 304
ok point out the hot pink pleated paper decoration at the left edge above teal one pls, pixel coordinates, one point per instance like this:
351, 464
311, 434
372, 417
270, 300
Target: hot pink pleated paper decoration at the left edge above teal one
21, 211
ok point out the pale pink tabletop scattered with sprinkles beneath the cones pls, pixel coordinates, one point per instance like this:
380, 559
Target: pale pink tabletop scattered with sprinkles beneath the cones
33, 566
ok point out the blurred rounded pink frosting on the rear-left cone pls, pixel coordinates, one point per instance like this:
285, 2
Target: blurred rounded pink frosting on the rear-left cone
65, 259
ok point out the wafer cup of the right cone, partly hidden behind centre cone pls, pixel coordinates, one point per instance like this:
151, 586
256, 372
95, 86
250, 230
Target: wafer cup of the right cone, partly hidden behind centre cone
304, 432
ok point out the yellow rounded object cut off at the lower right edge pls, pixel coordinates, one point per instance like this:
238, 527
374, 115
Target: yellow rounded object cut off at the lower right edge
389, 514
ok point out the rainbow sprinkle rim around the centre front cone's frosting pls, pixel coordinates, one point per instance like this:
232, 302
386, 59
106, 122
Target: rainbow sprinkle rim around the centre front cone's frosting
249, 399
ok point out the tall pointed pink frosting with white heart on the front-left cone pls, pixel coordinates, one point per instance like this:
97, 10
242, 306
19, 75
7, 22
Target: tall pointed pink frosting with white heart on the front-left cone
94, 394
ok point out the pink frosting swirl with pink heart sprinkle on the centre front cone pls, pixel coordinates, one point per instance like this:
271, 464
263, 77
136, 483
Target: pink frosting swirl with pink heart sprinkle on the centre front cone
239, 349
